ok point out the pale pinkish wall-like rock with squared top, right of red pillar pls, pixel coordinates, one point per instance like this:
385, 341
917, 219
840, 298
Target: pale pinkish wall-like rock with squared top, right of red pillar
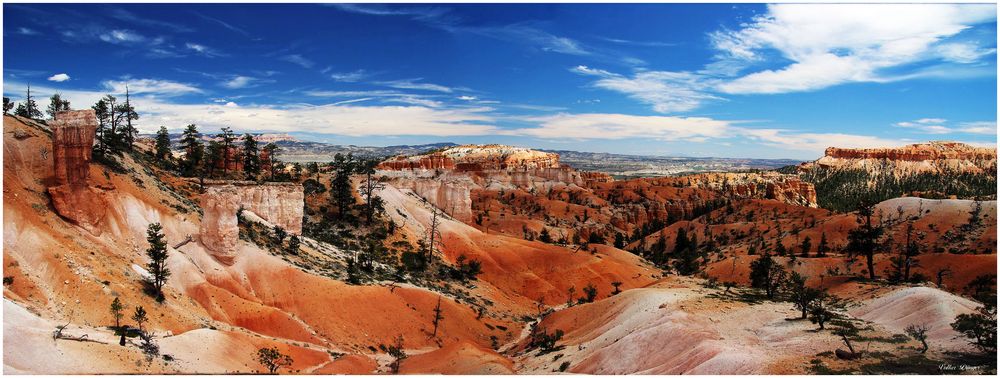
280, 204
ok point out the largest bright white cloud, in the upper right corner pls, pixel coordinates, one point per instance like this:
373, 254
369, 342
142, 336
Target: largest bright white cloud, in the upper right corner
830, 44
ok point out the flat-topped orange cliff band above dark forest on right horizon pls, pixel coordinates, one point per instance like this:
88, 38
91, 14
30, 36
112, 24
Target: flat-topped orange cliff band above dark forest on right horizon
931, 157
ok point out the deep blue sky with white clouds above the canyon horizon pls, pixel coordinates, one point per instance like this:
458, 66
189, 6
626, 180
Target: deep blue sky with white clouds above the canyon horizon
746, 80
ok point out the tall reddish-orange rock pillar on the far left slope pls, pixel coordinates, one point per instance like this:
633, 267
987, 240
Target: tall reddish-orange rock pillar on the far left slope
72, 144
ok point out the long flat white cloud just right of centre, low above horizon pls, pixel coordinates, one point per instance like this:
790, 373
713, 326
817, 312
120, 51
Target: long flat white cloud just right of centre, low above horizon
620, 126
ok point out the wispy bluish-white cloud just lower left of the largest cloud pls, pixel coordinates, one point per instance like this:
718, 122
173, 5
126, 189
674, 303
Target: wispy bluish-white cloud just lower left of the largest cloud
666, 91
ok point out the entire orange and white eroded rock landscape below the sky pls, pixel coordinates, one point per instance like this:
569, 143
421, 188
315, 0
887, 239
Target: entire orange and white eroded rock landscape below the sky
475, 260
